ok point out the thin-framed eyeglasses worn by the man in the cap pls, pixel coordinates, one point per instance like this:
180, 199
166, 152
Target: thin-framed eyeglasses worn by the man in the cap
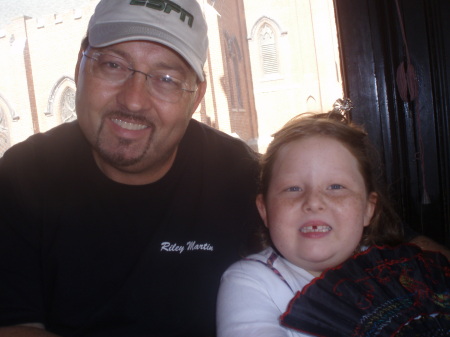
117, 71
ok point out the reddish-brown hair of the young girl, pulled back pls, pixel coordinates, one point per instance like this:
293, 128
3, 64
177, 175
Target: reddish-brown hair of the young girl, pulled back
385, 226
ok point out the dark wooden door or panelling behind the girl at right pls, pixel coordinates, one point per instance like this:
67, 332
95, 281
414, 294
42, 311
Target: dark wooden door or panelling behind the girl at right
414, 136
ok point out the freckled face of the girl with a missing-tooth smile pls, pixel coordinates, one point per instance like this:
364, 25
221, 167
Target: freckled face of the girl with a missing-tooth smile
317, 205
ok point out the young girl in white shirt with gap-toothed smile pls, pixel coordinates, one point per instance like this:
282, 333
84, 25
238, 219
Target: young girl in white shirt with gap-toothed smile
321, 203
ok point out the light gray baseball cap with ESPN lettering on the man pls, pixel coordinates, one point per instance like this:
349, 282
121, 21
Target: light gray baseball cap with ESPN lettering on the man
179, 25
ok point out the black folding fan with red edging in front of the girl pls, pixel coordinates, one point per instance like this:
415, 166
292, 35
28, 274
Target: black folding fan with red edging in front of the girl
400, 291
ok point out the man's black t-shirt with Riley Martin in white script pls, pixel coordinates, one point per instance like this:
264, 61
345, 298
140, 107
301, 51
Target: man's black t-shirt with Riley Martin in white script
87, 256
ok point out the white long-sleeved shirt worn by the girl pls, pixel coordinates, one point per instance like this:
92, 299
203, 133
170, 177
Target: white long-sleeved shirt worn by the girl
252, 297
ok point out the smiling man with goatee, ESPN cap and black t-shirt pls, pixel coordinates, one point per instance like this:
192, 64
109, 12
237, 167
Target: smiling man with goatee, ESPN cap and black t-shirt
121, 223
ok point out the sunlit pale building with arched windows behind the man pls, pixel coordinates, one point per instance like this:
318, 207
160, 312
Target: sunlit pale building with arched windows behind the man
267, 61
